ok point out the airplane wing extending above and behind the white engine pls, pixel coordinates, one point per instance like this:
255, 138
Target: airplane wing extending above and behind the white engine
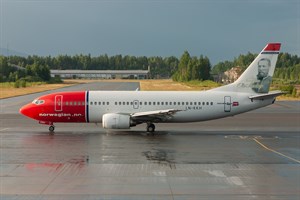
153, 116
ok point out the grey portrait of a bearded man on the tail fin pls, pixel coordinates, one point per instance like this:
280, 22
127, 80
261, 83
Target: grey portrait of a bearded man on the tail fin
264, 80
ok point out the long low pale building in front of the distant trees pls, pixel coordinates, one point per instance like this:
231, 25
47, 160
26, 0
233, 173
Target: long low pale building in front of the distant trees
101, 74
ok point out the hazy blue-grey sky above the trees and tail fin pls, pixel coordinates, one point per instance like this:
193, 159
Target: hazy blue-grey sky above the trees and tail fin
219, 29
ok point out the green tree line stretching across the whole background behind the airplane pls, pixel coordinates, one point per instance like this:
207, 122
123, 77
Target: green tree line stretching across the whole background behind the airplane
37, 68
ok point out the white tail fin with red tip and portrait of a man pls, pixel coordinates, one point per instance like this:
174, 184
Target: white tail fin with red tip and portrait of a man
258, 76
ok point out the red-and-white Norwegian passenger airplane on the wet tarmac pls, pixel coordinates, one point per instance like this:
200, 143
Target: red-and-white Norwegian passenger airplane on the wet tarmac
125, 109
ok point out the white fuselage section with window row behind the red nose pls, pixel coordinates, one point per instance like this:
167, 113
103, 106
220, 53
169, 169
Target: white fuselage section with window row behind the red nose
193, 106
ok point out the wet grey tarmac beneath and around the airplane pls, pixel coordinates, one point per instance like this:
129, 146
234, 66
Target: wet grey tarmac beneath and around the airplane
255, 155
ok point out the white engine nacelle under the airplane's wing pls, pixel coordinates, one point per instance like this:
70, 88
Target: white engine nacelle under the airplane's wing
116, 121
